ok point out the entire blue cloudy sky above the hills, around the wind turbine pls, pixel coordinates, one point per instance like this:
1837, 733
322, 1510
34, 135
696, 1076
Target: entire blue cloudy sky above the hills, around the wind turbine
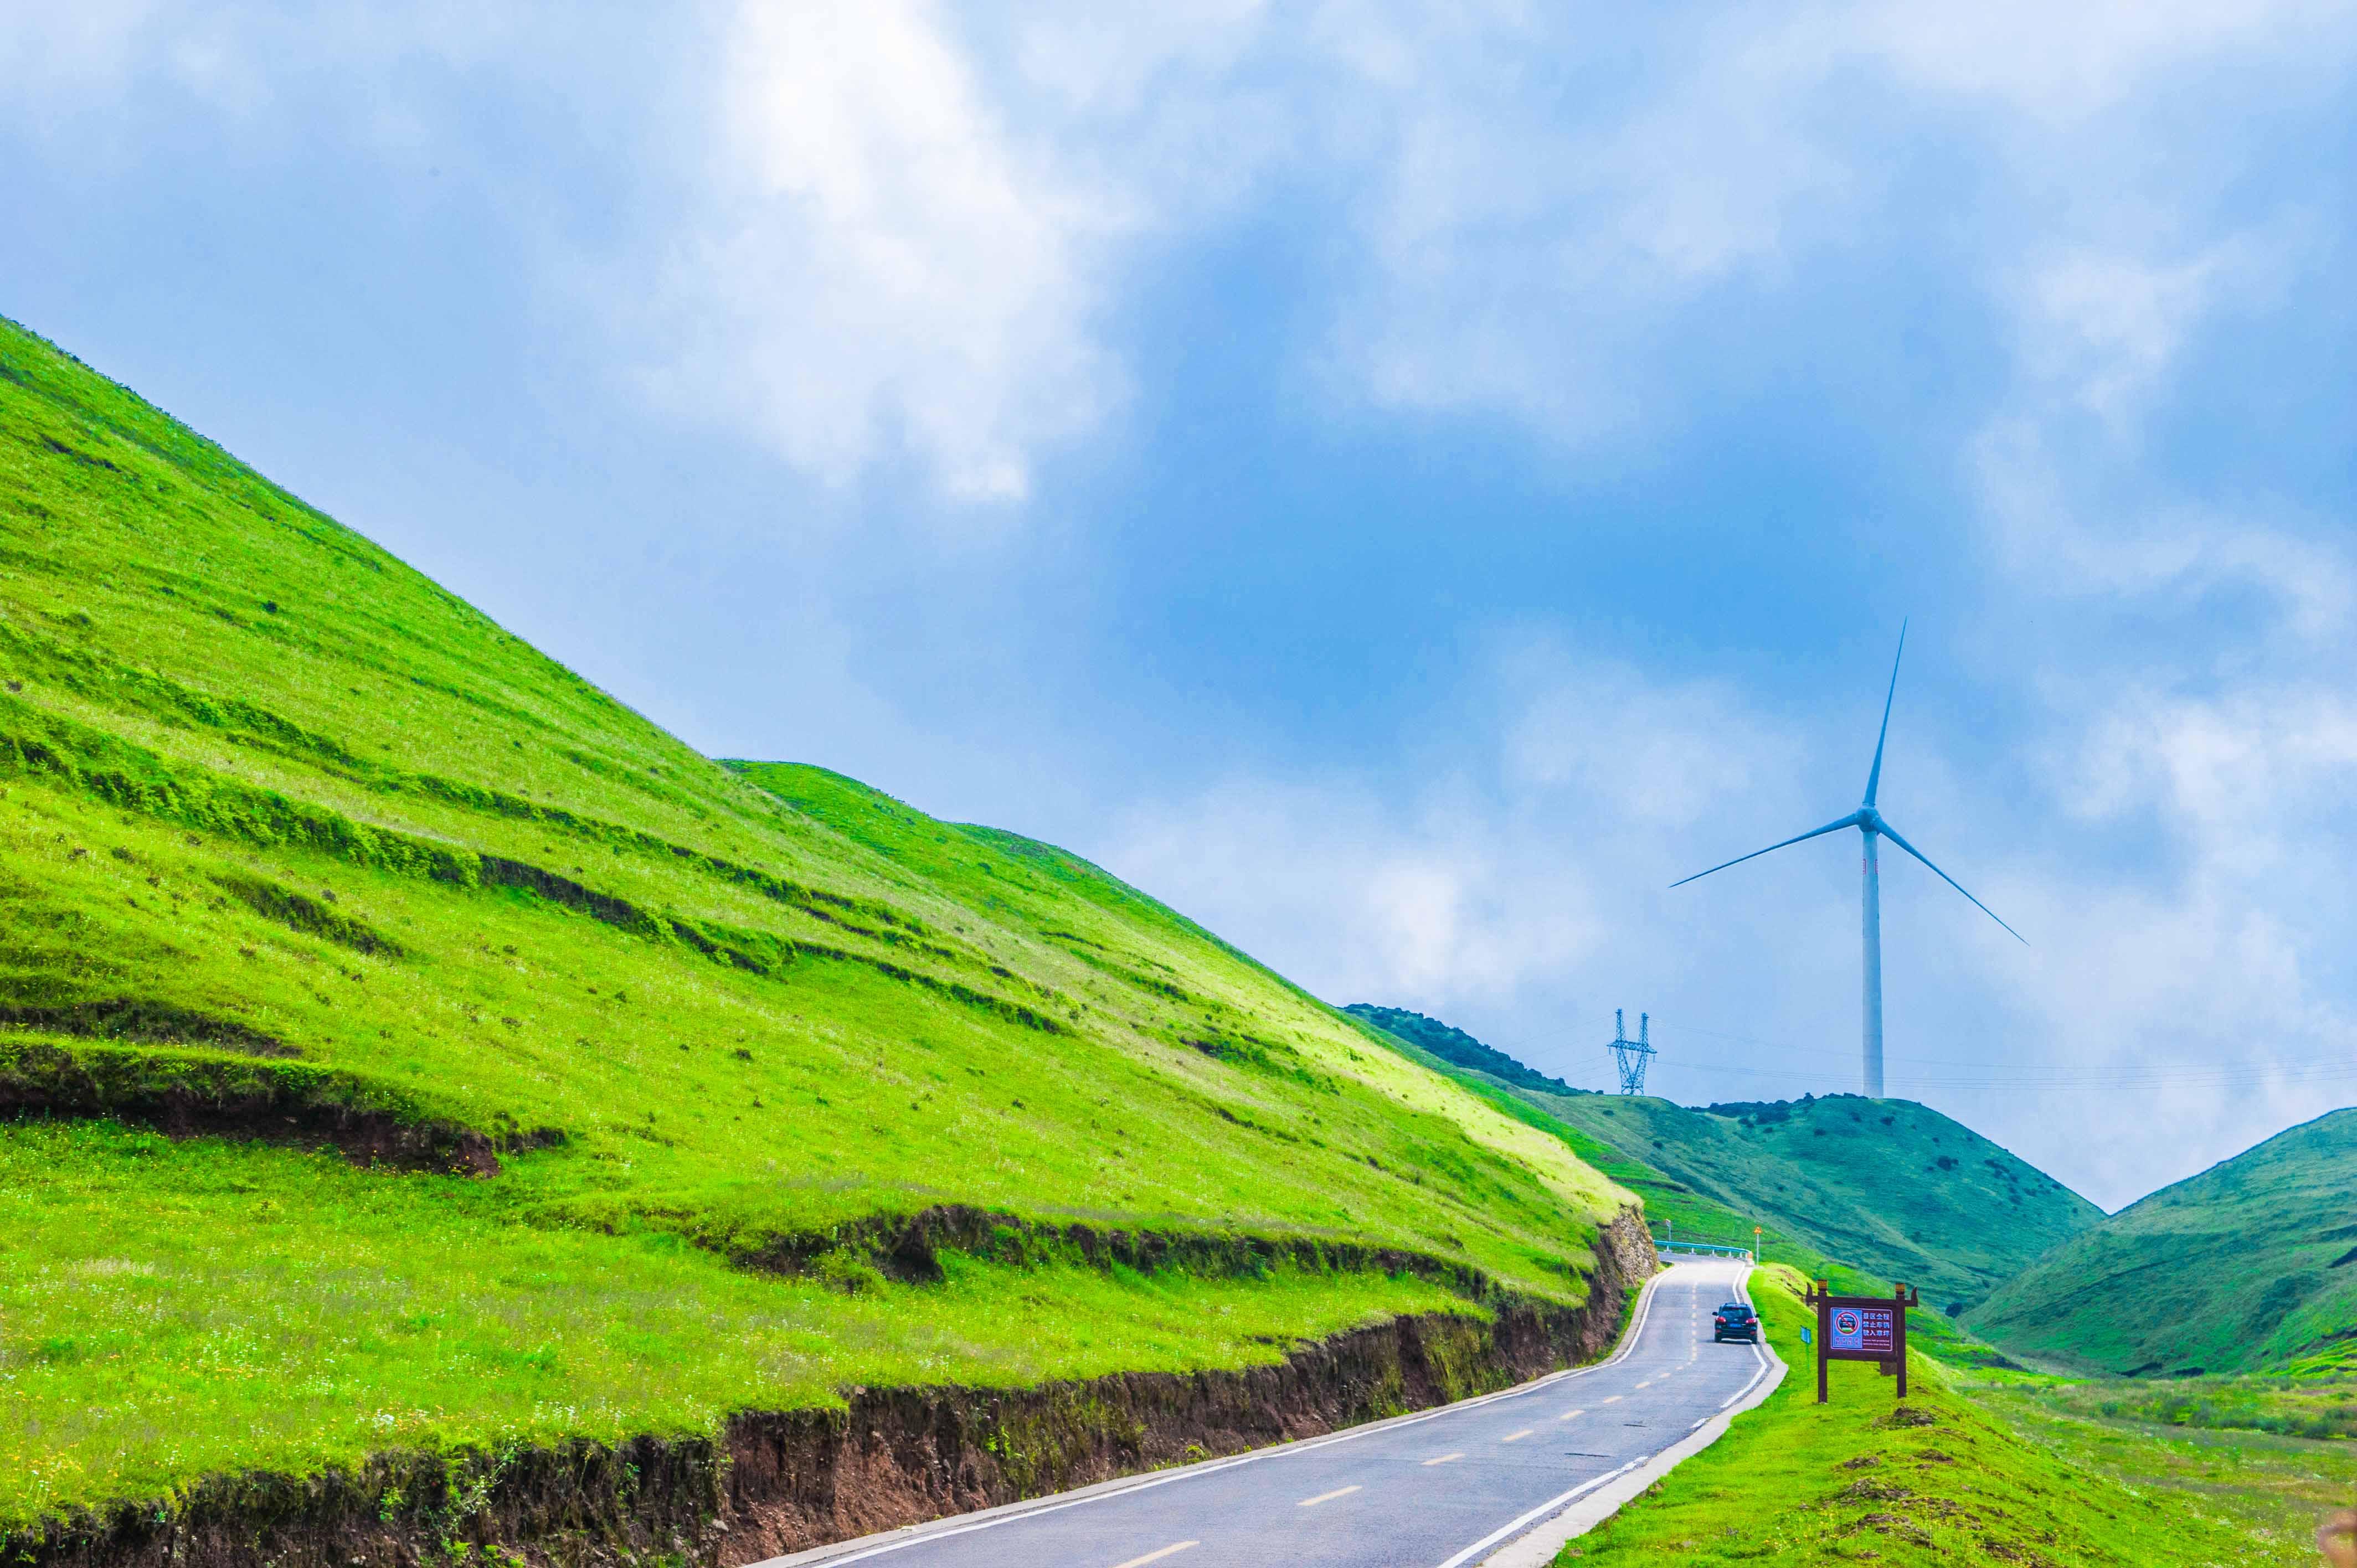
1404, 487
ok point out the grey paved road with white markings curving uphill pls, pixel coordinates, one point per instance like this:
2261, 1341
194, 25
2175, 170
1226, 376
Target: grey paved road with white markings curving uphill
1425, 1491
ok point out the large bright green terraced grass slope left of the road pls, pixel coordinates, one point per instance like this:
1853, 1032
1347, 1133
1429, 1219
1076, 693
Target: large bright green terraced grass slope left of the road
574, 1083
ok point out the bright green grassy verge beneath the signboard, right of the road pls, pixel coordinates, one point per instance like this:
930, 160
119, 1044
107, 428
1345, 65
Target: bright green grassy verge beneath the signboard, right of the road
1795, 1482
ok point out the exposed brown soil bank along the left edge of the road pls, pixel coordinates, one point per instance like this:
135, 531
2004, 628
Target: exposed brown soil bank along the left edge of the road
786, 1482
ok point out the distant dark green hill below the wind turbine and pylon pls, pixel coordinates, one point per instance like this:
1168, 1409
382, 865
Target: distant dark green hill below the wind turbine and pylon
1887, 1187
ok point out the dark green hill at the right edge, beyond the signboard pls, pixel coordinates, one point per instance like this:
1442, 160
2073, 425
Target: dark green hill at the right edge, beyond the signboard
2250, 1265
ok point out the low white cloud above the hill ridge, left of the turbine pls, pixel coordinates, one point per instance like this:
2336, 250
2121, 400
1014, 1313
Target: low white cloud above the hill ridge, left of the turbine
1569, 784
